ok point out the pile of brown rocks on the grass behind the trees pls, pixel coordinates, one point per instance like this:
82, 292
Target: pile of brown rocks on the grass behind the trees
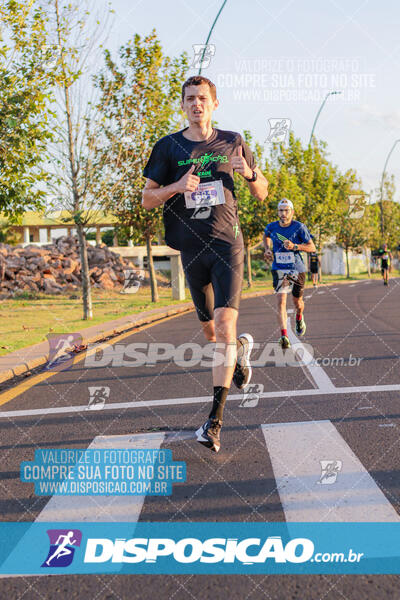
56, 267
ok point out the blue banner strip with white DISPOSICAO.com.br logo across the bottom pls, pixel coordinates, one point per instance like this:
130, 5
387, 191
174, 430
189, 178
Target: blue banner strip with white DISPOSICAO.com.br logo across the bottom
199, 548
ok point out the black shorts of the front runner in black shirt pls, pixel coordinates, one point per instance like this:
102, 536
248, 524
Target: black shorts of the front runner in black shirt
215, 277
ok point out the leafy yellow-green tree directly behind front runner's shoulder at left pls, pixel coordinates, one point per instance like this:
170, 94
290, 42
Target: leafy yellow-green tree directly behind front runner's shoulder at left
140, 102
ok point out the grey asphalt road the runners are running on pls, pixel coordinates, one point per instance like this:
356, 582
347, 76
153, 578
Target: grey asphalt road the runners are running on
353, 331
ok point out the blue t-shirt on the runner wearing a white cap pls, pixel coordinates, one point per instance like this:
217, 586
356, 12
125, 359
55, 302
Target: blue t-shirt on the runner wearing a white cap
284, 259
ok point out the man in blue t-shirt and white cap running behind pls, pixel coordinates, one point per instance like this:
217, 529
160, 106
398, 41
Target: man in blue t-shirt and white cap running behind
283, 241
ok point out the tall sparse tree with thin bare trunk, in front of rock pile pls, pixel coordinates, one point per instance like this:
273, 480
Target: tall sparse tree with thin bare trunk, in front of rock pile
77, 36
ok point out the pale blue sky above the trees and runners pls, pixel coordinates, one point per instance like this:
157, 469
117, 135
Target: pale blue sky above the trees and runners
277, 59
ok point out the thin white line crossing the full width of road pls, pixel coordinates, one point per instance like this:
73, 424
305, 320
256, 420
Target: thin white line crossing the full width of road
377, 389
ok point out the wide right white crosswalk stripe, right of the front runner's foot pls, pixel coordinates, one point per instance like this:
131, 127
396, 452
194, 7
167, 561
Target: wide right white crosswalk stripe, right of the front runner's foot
296, 450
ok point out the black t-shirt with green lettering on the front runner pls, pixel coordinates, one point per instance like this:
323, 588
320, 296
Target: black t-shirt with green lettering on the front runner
192, 228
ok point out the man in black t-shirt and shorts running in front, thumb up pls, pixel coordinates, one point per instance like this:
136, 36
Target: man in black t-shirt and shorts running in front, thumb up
190, 172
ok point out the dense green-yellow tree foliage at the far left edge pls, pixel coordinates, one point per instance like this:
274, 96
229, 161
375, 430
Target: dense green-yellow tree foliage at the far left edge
25, 101
